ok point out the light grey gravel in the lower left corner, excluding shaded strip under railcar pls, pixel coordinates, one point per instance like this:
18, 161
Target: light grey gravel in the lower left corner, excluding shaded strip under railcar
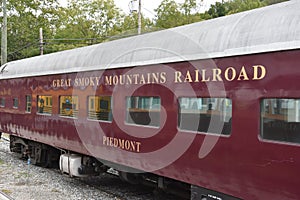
22, 181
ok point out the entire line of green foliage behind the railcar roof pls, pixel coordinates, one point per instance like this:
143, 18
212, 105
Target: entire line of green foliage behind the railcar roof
86, 22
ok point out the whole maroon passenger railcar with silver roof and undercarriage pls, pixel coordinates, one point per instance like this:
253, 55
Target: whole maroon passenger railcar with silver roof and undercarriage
213, 106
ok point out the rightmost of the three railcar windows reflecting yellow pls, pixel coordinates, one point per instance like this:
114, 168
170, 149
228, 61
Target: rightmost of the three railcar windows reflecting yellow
100, 108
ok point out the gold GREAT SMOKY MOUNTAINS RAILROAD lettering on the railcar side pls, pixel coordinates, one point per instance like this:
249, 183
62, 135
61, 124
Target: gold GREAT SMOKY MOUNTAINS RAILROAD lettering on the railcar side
196, 76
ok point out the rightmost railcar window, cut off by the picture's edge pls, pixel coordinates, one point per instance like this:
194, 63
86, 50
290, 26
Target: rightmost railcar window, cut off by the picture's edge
280, 120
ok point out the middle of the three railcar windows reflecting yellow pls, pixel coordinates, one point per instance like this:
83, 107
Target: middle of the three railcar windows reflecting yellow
68, 106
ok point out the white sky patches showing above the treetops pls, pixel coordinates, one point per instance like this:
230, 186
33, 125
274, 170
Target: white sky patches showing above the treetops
148, 6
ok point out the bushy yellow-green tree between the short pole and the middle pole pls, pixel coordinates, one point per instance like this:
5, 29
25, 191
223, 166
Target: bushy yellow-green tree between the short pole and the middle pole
89, 21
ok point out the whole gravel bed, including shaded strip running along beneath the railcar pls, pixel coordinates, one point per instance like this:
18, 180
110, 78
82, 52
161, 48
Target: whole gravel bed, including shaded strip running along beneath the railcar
28, 182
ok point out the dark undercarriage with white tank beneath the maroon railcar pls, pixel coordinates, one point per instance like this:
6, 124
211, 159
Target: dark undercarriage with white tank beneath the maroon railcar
77, 165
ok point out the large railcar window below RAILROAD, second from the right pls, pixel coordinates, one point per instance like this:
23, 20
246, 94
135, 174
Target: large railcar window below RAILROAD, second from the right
208, 115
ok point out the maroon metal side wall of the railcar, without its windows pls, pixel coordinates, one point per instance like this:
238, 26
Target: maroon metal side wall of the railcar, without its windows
242, 164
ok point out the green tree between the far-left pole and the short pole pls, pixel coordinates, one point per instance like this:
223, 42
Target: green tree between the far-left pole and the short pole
25, 18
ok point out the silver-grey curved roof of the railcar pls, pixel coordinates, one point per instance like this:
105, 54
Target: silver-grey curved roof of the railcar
266, 29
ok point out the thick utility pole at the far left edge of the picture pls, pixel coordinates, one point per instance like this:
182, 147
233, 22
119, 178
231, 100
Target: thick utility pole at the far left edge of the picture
4, 34
